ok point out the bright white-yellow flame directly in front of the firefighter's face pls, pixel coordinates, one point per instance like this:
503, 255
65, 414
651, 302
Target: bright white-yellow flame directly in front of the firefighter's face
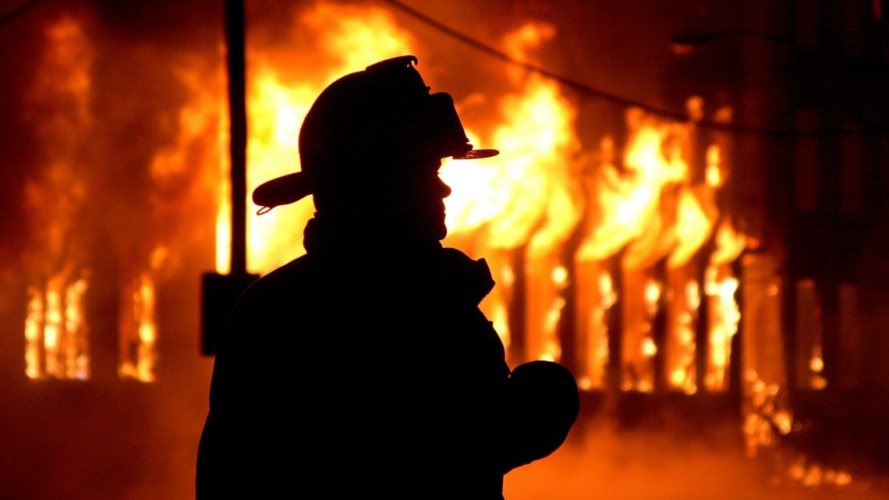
525, 193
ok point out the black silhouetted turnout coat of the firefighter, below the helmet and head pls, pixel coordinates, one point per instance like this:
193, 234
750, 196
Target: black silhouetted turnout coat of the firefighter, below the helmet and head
373, 372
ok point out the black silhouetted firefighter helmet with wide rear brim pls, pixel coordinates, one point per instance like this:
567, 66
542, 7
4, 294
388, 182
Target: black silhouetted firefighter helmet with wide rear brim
378, 115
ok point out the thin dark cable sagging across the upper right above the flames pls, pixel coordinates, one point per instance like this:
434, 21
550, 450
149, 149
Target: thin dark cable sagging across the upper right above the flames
614, 98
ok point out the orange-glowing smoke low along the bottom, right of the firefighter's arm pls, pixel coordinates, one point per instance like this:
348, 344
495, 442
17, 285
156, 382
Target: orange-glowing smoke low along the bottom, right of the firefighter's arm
680, 454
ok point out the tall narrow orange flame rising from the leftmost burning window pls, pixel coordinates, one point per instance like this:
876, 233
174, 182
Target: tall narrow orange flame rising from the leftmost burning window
56, 333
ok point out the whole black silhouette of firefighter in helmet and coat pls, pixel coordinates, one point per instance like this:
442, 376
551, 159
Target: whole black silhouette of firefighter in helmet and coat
365, 367
